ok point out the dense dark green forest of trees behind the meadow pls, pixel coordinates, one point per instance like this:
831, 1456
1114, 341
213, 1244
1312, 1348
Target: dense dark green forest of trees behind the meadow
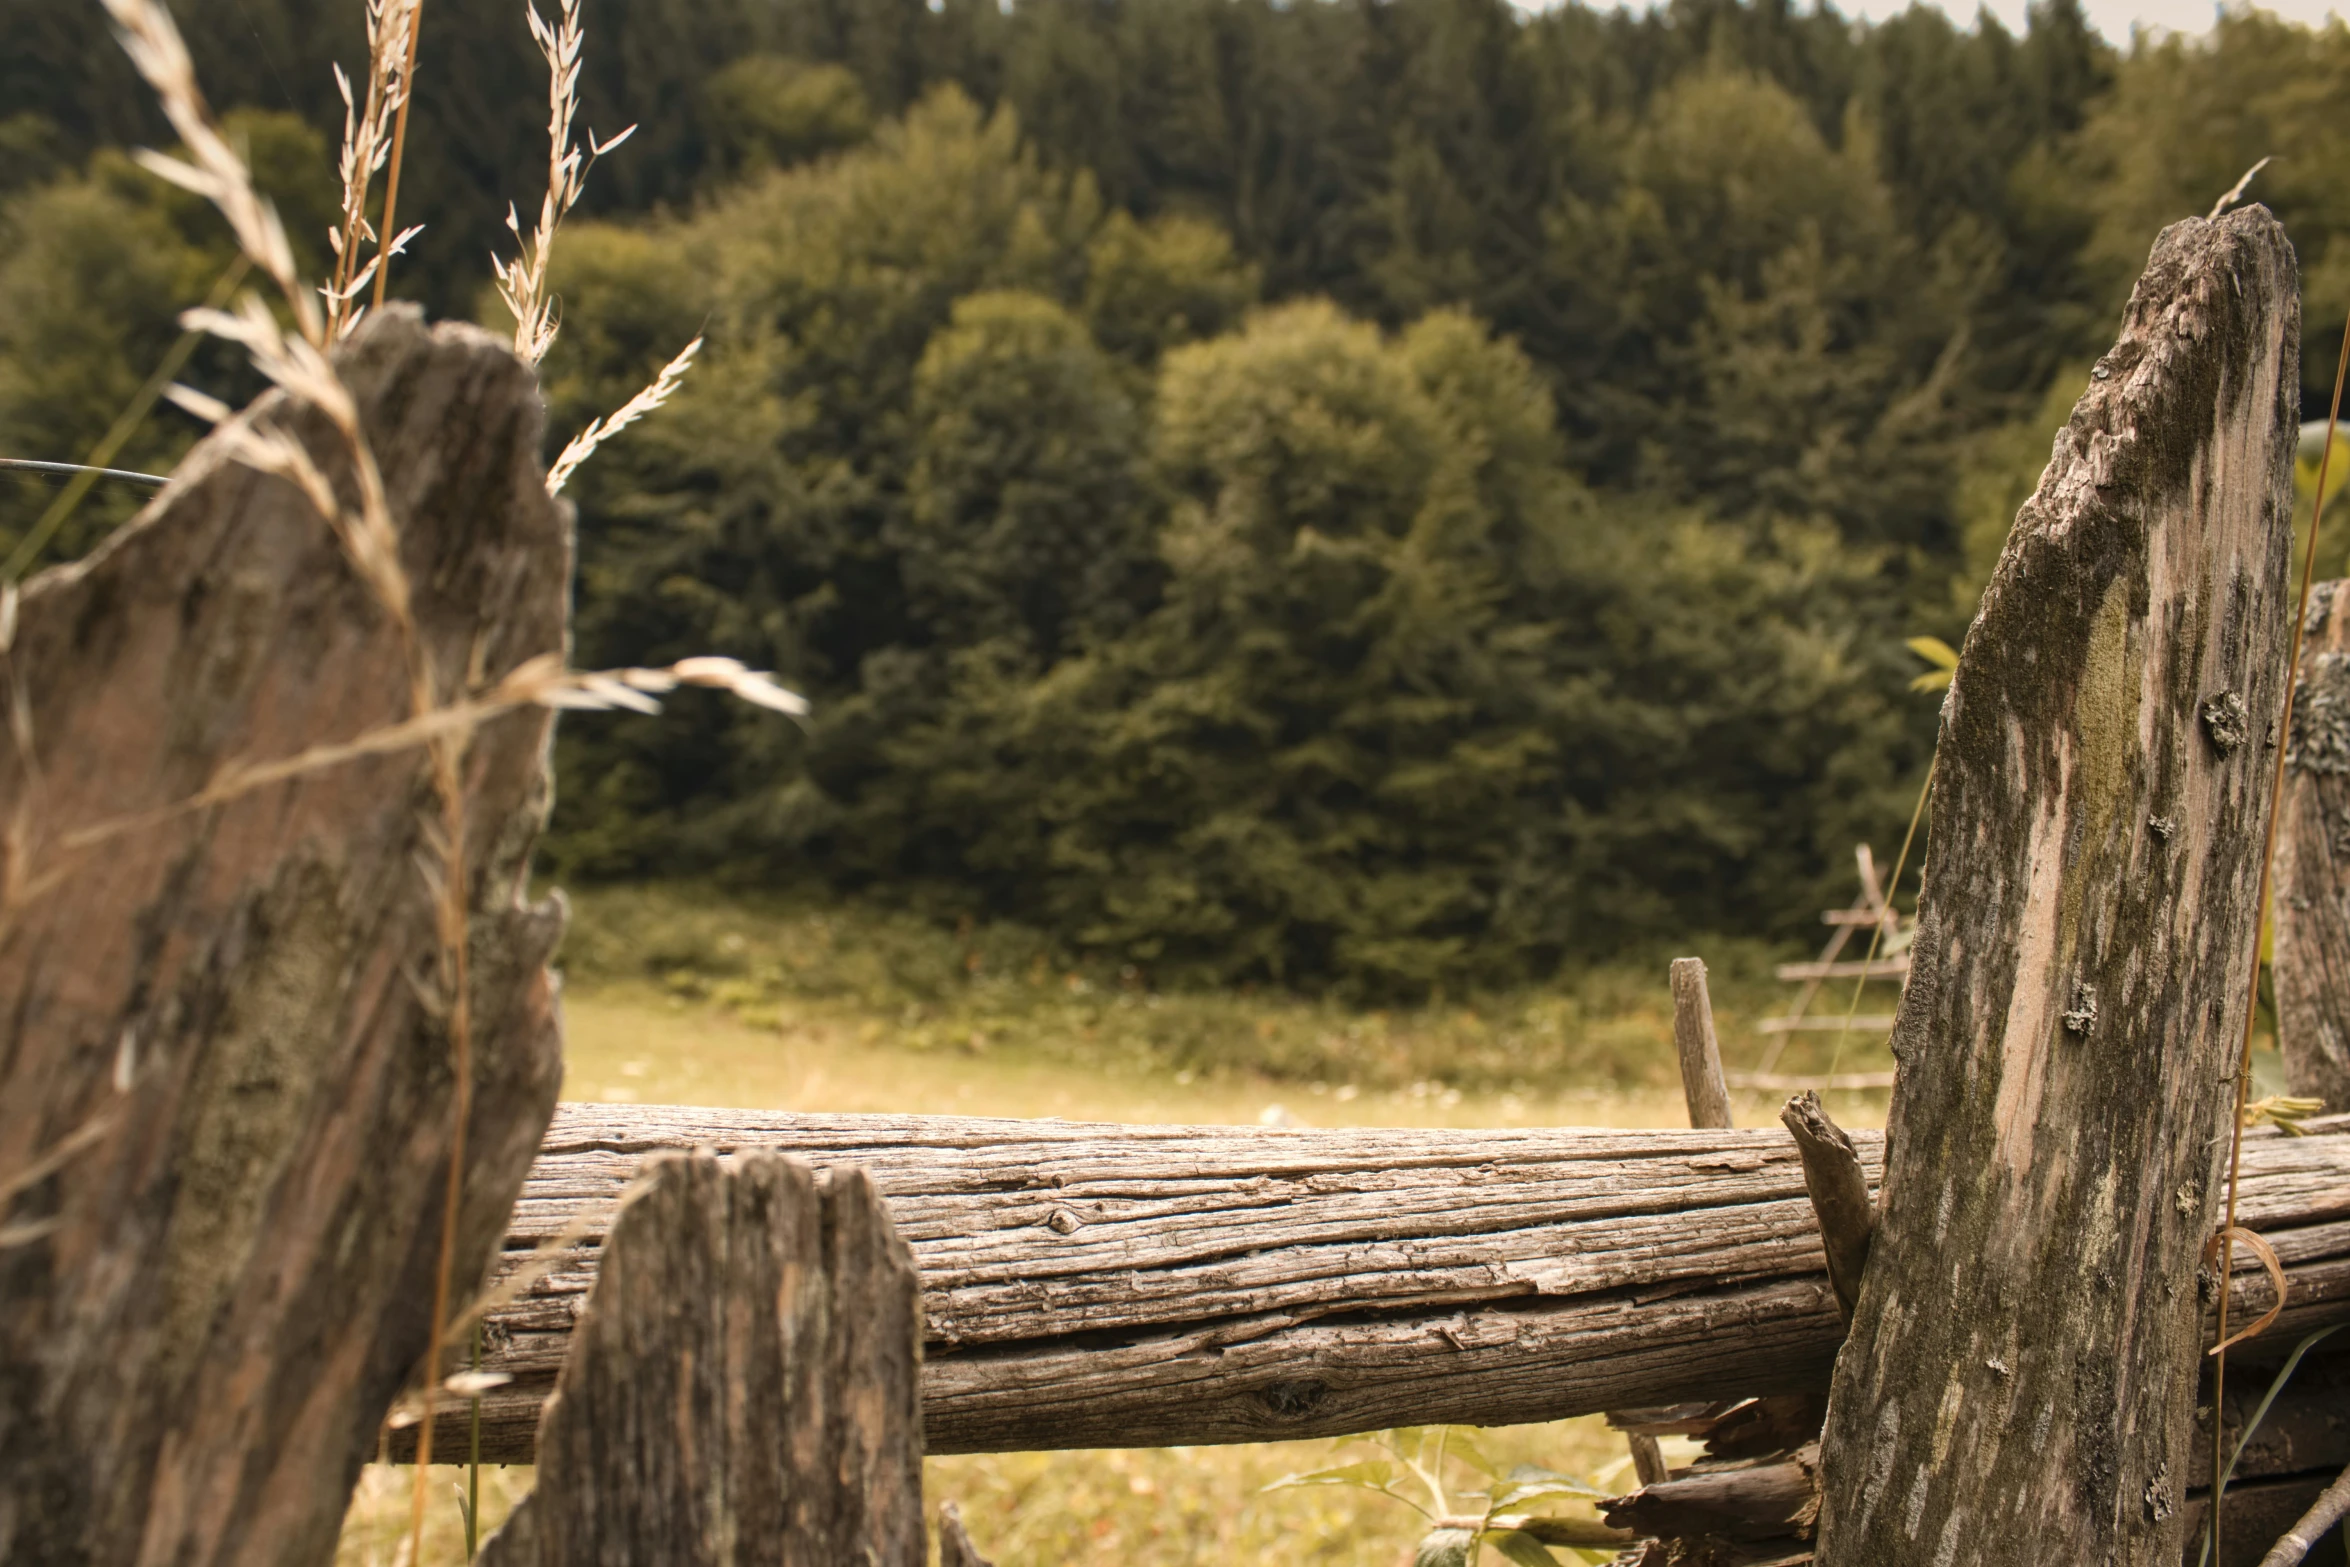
1381, 495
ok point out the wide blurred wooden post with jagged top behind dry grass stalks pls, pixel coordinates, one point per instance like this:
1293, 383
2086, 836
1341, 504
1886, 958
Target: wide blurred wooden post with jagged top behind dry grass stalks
227, 1018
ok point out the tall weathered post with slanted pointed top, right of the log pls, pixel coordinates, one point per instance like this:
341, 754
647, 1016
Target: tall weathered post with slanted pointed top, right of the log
2020, 1383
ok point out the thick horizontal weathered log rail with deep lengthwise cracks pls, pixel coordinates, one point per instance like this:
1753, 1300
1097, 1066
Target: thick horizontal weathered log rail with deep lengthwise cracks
1122, 1286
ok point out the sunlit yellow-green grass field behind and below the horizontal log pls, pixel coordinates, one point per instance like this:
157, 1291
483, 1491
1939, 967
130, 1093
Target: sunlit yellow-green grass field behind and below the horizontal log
678, 997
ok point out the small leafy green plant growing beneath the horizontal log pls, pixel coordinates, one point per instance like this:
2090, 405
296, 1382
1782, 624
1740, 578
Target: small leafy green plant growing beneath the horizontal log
1500, 1502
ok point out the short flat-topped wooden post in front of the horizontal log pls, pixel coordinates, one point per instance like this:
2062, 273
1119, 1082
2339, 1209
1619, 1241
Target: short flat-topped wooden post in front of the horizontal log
741, 1390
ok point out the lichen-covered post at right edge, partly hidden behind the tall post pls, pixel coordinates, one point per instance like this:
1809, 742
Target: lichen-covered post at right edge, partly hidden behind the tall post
2314, 863
